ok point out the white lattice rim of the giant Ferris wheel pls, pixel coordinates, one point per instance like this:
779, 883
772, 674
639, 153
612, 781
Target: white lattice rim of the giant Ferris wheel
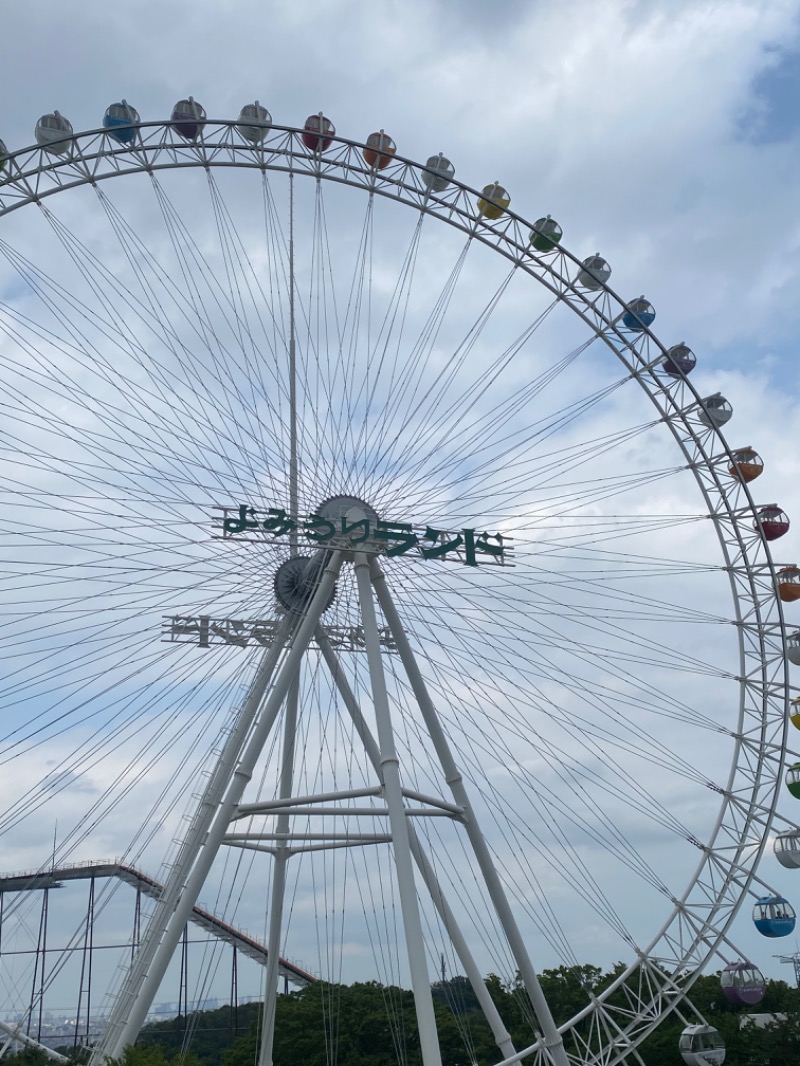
702, 916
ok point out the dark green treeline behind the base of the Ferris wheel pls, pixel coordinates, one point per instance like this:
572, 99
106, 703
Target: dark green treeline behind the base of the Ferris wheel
372, 1025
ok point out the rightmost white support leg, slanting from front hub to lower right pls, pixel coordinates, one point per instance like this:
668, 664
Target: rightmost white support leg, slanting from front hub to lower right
553, 1040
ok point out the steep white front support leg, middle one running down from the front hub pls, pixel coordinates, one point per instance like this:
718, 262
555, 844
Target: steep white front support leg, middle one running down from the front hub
398, 823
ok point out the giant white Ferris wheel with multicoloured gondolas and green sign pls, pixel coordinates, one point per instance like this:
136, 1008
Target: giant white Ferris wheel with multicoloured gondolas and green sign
333, 486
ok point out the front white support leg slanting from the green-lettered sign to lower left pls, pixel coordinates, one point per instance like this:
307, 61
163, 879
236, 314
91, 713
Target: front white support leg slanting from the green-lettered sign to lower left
243, 774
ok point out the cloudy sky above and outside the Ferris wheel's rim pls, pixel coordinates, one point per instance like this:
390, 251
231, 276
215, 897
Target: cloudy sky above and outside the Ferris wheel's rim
664, 136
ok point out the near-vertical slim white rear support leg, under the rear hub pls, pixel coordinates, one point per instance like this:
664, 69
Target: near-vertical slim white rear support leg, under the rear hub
279, 879
